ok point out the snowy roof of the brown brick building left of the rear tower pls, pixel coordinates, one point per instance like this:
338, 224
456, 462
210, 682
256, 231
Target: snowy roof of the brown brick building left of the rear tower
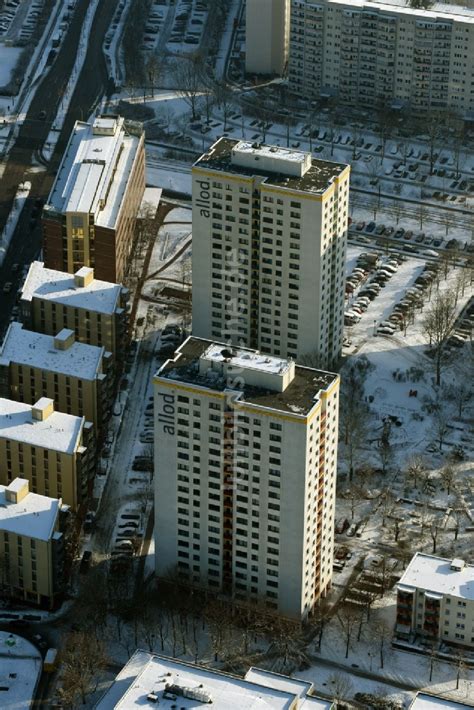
94, 171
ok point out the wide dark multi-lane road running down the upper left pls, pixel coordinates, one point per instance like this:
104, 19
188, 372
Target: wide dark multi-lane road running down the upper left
92, 83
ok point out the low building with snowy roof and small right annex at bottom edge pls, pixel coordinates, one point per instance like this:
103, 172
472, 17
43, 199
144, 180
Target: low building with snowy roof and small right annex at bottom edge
148, 680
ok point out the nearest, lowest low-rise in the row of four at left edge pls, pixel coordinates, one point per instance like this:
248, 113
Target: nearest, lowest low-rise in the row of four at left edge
31, 545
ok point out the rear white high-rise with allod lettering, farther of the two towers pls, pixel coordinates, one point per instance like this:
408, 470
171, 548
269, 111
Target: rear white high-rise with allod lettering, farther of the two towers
269, 245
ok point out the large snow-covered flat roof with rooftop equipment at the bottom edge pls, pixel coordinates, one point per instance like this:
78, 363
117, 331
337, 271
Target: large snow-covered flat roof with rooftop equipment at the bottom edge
146, 673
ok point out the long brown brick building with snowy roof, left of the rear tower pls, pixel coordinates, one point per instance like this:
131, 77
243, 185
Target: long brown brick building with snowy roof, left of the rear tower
90, 215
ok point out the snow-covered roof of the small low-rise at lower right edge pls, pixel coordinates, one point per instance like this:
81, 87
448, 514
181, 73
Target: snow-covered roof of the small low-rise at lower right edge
434, 574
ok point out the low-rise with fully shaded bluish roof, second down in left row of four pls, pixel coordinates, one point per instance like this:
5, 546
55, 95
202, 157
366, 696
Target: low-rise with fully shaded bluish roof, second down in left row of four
75, 375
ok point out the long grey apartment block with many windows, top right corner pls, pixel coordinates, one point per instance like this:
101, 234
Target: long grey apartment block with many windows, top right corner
383, 54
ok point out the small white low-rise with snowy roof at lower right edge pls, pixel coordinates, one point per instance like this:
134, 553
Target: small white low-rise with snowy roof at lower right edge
435, 599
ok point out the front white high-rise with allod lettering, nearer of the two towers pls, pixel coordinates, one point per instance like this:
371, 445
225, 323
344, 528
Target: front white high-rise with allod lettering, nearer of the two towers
245, 471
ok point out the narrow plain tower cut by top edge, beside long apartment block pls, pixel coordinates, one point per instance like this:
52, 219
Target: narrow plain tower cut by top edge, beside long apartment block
267, 31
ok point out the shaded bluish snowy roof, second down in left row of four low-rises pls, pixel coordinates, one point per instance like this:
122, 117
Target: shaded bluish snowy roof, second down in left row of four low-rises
37, 350
